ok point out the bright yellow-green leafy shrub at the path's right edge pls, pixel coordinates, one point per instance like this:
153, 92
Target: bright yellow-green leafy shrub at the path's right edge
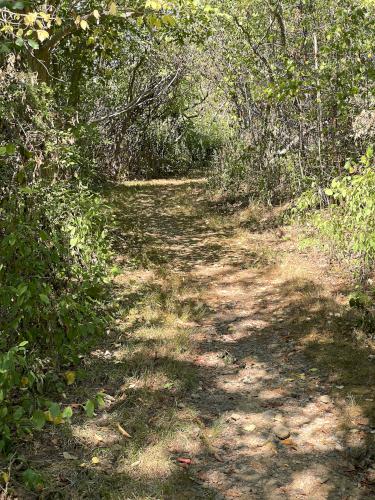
346, 226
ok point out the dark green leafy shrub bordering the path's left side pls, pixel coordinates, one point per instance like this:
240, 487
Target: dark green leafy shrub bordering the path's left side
55, 257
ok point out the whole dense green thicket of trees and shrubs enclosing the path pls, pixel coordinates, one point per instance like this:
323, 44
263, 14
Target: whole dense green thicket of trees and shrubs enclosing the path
269, 99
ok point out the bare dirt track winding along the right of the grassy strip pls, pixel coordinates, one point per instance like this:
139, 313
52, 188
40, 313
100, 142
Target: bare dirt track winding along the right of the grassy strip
275, 367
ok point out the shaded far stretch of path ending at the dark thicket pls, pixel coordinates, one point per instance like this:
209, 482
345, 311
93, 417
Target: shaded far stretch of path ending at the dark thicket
158, 225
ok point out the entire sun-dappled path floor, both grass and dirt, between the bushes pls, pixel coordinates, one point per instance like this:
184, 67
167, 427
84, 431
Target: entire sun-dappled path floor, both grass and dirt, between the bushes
235, 366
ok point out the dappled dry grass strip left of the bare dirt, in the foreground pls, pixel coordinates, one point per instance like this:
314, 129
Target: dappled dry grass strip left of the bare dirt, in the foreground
147, 372
